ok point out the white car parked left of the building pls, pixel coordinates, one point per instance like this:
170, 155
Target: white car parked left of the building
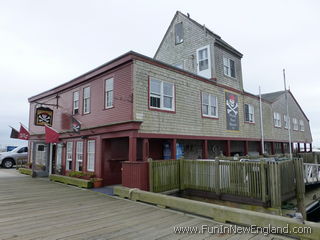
8, 159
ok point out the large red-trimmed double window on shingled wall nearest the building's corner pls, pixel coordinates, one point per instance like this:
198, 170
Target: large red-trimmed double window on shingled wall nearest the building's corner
161, 95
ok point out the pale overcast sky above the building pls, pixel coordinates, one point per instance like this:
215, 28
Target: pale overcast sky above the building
46, 43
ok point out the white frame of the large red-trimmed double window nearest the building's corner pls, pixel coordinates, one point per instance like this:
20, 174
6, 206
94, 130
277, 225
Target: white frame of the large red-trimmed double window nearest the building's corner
162, 95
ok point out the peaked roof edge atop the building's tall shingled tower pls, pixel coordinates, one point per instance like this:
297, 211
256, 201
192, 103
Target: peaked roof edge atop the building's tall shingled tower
219, 41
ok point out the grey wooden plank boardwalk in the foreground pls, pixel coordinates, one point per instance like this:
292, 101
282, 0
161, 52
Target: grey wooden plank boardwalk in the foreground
39, 209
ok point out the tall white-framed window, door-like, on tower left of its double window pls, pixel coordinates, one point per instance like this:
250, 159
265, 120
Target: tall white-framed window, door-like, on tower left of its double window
203, 62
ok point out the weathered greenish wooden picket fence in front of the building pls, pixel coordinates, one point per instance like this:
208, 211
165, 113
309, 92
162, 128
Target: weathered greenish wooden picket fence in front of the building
261, 181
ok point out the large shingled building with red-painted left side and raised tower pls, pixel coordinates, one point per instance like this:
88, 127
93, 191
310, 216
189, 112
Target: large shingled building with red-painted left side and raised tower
188, 101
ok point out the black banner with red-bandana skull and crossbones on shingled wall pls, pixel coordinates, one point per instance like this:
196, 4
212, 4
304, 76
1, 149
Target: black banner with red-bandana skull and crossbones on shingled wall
232, 114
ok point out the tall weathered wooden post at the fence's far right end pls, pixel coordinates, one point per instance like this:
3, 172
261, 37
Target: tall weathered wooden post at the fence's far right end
300, 190
